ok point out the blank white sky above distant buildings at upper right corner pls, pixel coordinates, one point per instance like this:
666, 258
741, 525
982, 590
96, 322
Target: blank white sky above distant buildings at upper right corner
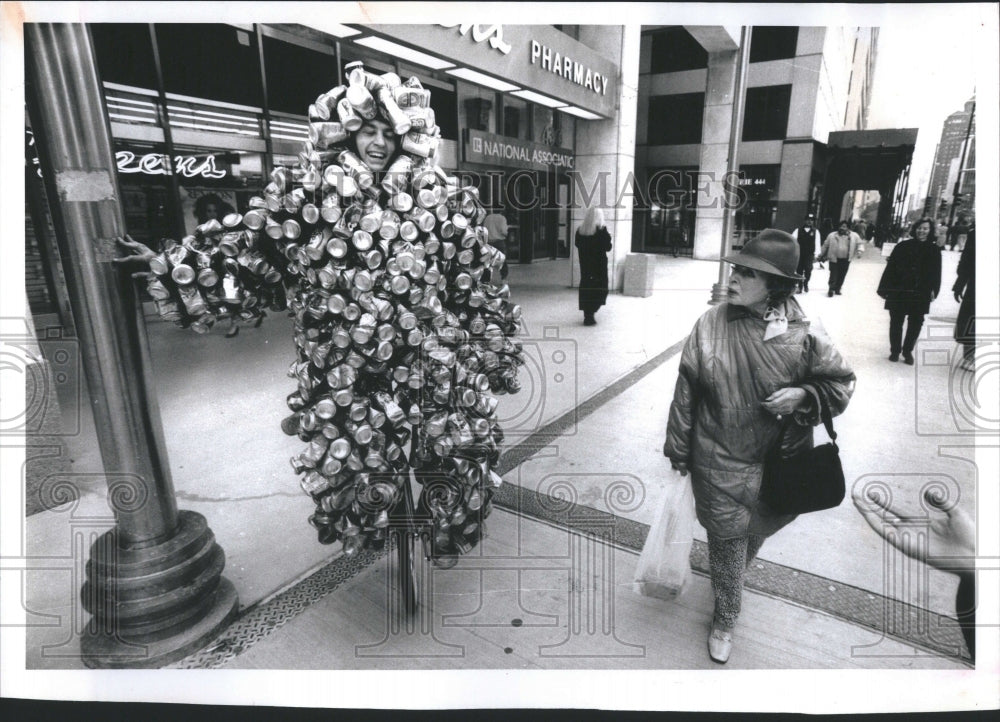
924, 72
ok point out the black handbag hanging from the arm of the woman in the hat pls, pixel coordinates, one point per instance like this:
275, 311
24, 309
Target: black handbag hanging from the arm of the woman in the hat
810, 481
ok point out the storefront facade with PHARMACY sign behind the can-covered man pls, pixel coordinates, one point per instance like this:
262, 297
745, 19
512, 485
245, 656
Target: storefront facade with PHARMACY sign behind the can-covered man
201, 113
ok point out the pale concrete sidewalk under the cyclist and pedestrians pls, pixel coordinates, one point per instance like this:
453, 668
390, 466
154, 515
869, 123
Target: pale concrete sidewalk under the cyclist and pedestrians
609, 387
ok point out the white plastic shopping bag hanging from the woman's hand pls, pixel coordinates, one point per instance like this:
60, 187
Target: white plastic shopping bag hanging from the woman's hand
665, 562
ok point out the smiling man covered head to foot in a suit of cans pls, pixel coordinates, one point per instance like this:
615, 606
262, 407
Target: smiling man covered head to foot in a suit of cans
404, 331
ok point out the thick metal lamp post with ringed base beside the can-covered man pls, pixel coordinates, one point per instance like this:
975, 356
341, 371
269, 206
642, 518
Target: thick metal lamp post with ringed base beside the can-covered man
154, 583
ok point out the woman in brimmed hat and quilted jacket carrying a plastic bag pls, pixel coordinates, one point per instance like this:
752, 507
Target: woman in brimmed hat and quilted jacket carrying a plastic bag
750, 367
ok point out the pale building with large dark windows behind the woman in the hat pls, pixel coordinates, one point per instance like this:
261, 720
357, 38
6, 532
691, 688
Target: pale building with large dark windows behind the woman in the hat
803, 83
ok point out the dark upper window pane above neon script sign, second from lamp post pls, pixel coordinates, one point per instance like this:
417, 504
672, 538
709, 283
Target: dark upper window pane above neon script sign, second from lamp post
225, 68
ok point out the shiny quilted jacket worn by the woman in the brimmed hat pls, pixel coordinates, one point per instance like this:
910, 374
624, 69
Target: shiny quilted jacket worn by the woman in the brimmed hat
717, 424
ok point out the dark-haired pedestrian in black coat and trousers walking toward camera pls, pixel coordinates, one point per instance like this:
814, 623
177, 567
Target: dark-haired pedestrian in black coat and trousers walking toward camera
910, 281
